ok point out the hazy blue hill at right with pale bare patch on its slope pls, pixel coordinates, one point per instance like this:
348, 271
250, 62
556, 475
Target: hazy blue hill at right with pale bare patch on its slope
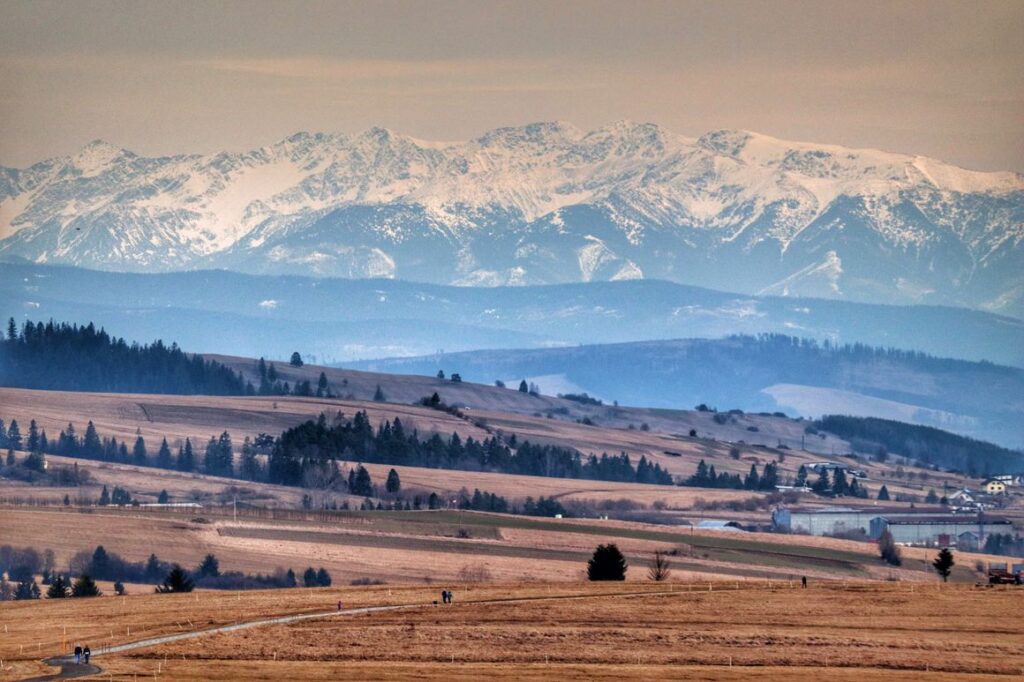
801, 378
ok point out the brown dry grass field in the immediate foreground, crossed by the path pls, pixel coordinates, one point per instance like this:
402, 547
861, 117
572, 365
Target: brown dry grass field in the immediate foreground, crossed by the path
685, 630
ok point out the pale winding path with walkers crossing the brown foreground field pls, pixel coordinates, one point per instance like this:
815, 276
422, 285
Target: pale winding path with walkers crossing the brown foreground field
70, 669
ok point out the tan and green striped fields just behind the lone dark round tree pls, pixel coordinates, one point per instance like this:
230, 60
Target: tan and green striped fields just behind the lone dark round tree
423, 547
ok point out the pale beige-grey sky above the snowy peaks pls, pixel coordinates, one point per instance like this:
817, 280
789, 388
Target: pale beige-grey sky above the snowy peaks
943, 79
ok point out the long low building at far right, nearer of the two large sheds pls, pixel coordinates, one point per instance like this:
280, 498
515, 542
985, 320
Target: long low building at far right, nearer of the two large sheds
940, 530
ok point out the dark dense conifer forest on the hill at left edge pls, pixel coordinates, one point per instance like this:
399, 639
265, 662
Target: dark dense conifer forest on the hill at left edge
84, 359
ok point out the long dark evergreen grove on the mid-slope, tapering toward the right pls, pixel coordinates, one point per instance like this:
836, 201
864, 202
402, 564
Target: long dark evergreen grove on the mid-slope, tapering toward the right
316, 445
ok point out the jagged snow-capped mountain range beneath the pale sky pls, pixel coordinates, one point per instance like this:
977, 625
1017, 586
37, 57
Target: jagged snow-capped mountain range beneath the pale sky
542, 203
